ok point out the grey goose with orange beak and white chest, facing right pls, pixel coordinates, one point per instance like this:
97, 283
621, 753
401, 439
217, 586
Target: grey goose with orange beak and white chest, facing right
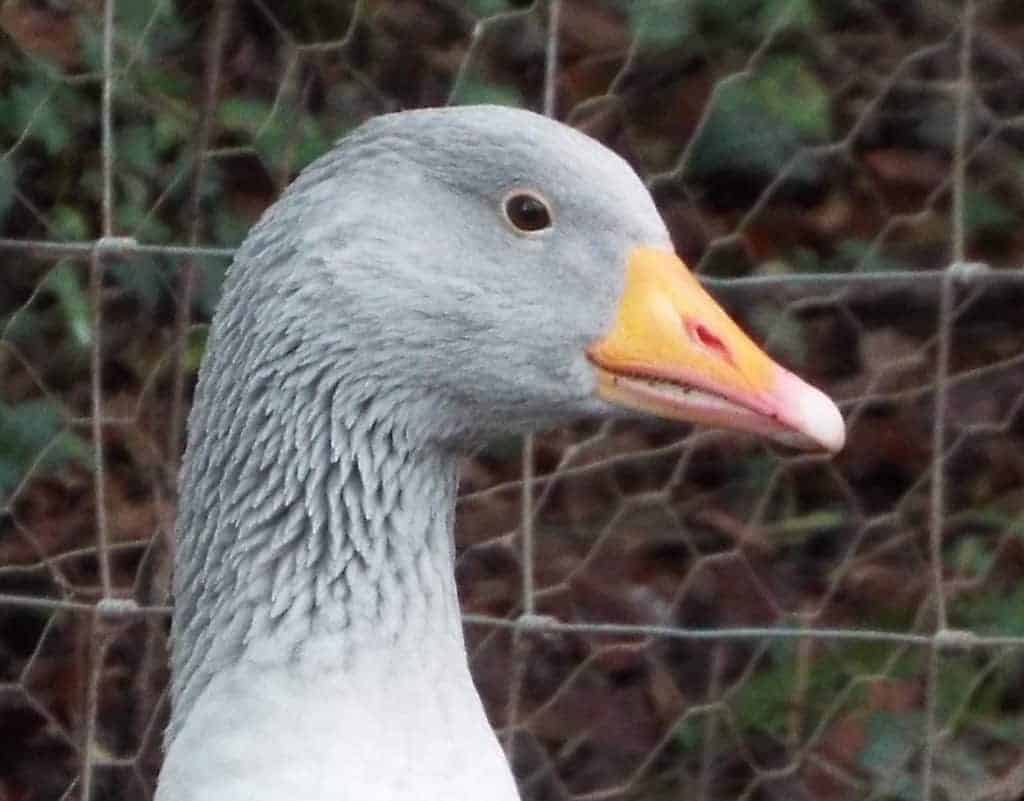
440, 278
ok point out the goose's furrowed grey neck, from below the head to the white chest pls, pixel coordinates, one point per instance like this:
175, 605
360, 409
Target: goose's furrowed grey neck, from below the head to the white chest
314, 530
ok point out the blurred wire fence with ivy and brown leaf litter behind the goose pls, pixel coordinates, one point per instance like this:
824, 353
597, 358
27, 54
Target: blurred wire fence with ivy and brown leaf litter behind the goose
729, 621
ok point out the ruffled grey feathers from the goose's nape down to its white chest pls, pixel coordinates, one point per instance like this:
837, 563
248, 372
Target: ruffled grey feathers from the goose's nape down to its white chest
313, 504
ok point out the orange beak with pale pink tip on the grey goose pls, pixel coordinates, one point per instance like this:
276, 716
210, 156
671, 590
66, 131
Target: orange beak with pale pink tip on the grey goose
674, 353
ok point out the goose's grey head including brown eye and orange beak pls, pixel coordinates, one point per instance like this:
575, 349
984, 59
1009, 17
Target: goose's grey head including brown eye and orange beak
501, 272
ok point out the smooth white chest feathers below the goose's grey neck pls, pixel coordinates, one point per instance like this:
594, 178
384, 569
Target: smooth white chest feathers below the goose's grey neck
401, 726
